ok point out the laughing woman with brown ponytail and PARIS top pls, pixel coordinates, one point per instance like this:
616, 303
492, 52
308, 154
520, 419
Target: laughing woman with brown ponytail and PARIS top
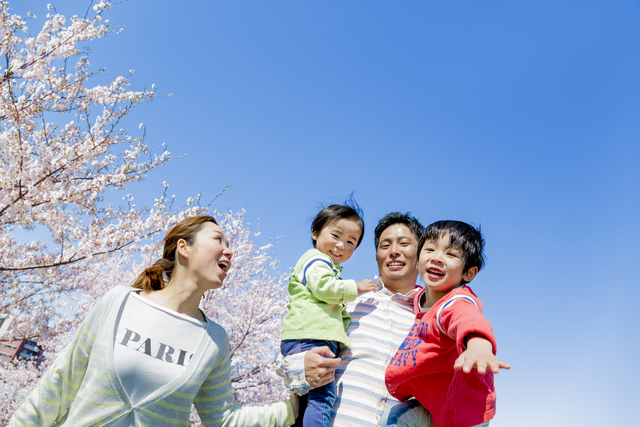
143, 355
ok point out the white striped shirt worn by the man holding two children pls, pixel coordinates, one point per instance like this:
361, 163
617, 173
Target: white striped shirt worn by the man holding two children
380, 323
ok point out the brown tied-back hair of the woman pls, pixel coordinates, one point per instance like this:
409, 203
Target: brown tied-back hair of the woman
151, 278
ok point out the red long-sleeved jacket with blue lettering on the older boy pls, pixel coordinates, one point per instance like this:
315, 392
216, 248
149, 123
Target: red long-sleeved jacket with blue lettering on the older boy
423, 365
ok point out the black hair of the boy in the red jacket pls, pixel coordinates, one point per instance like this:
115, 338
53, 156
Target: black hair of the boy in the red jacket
462, 236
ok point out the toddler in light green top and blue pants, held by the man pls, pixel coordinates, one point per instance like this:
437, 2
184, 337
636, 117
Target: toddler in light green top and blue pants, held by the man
317, 315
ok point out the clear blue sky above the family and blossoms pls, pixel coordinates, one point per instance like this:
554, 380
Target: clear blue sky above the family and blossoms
523, 117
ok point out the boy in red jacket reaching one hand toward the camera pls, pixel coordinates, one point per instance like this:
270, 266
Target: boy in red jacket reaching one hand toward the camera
449, 338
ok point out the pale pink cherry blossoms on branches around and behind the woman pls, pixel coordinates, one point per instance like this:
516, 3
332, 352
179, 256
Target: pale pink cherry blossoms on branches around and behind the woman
61, 147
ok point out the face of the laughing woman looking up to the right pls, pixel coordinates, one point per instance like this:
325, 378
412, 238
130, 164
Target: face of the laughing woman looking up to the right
209, 258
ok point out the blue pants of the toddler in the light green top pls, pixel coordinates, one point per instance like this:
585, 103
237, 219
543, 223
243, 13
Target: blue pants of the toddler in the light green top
319, 407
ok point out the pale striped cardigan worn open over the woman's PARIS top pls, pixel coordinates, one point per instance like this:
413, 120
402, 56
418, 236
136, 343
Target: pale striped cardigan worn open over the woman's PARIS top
81, 388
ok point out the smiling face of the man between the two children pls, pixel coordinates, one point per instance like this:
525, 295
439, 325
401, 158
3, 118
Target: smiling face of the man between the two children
396, 254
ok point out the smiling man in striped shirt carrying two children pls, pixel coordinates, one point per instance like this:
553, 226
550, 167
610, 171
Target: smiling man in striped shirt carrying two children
380, 322
